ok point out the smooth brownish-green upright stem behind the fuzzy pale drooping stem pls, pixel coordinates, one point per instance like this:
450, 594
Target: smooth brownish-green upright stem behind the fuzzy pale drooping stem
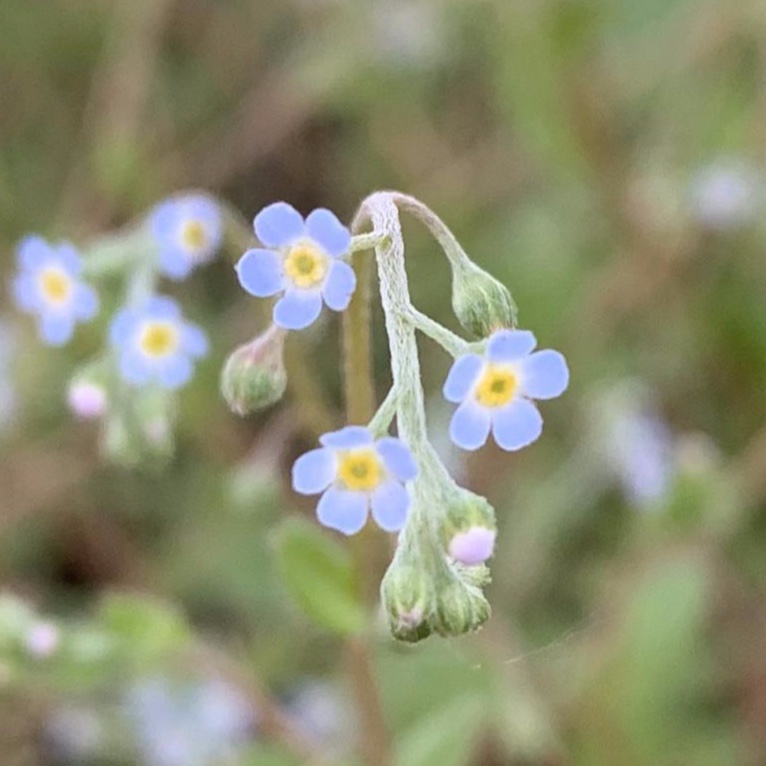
374, 745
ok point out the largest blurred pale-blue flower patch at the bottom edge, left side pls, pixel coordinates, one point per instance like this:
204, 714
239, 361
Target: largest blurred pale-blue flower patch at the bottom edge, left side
188, 724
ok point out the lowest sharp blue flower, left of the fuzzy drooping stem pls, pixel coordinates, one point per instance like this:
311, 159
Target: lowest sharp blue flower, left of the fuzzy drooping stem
357, 474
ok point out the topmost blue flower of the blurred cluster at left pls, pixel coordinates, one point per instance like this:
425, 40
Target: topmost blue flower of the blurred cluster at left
188, 231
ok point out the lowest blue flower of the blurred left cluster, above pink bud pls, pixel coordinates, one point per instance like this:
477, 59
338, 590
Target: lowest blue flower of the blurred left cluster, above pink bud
155, 344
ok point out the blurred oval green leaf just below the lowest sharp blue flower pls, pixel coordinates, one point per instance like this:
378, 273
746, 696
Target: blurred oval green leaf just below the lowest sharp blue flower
319, 575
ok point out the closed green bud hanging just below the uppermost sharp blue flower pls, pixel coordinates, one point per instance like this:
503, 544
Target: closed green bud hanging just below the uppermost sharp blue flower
254, 377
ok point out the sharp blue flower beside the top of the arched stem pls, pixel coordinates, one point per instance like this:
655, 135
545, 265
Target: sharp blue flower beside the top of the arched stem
302, 262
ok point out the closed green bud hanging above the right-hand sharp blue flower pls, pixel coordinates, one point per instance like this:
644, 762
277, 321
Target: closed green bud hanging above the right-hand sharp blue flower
481, 303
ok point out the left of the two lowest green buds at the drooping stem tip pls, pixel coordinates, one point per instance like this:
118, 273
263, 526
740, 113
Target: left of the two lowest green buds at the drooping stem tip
407, 600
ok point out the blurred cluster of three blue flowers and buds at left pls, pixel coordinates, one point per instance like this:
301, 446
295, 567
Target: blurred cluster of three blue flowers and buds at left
148, 344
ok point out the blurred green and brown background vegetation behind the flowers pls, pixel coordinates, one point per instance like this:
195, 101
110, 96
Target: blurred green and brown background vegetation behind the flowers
604, 159
